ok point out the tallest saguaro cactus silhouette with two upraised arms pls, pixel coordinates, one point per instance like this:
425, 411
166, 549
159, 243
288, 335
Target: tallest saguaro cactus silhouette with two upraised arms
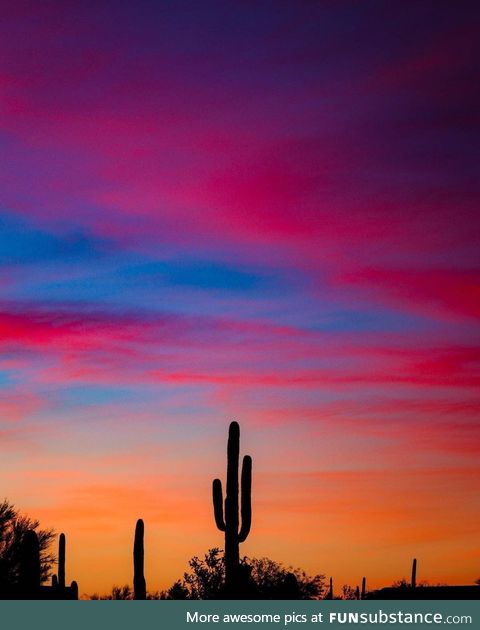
229, 522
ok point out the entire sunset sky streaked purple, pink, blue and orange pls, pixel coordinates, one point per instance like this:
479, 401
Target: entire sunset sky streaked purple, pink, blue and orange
263, 211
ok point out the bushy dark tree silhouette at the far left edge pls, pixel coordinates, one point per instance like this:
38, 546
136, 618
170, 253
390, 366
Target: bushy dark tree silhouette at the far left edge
13, 528
